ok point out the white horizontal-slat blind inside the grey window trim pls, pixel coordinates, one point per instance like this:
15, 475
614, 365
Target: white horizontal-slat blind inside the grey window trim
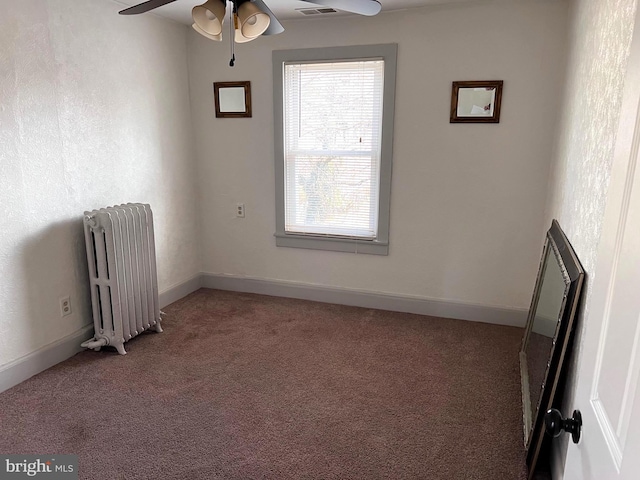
332, 140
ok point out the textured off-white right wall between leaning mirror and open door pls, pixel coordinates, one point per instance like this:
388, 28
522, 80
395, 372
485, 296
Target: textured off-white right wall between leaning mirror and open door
600, 36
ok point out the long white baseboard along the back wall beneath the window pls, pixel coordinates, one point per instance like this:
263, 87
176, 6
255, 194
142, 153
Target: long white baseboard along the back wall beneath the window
515, 317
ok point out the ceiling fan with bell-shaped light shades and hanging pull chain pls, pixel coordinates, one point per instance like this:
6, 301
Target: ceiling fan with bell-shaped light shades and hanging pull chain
248, 18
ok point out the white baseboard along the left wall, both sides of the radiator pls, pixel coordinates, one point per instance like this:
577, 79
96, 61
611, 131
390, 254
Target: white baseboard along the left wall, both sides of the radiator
45, 357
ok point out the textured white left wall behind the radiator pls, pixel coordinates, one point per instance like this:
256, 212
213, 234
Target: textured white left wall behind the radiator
94, 110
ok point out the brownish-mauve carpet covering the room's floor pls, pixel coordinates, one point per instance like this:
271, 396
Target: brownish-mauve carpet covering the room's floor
243, 386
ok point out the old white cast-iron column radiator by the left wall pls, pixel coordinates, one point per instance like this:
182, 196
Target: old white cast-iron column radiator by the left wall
122, 271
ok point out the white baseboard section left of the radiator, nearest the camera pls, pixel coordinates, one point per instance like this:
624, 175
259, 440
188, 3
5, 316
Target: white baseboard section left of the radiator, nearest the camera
45, 357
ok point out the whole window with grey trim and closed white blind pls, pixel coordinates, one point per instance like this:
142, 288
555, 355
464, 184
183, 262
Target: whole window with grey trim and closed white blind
333, 111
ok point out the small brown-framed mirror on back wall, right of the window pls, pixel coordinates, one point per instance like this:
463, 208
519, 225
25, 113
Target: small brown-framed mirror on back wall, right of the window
476, 101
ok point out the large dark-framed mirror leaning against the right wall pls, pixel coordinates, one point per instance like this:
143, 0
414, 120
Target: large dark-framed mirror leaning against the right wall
549, 325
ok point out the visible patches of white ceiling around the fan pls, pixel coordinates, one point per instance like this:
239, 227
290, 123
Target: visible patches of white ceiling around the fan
180, 10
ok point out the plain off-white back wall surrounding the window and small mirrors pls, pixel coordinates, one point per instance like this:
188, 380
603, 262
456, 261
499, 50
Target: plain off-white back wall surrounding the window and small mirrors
467, 201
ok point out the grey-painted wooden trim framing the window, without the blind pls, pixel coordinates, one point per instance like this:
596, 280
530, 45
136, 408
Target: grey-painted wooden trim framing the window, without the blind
388, 52
